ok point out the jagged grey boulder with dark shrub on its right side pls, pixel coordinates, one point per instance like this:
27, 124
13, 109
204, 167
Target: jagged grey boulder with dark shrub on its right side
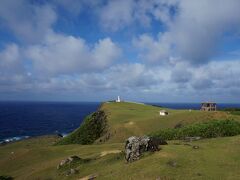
135, 146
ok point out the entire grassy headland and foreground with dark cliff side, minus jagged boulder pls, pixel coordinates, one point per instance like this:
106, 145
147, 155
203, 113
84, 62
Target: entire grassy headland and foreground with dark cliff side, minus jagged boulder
207, 158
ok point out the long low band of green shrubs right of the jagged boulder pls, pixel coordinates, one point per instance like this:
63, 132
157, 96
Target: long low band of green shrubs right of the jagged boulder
211, 129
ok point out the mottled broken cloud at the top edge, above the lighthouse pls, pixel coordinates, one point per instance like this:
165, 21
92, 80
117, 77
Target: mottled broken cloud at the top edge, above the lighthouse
116, 15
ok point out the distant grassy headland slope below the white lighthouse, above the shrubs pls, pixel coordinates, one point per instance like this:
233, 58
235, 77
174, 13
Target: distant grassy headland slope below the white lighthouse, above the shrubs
126, 119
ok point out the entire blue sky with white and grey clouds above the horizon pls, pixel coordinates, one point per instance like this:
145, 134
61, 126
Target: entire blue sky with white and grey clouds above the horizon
141, 50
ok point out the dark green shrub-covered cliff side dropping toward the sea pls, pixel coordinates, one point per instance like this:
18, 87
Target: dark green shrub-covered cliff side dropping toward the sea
92, 128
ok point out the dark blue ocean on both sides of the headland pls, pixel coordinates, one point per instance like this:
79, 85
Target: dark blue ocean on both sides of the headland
20, 120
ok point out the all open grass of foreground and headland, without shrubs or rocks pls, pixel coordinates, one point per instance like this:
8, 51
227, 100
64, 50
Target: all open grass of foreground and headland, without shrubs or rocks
216, 158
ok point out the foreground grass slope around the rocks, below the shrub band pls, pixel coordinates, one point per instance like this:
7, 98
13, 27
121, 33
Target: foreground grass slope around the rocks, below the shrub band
216, 158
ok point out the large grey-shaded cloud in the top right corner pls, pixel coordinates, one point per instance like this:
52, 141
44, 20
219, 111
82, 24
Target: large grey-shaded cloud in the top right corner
200, 25
